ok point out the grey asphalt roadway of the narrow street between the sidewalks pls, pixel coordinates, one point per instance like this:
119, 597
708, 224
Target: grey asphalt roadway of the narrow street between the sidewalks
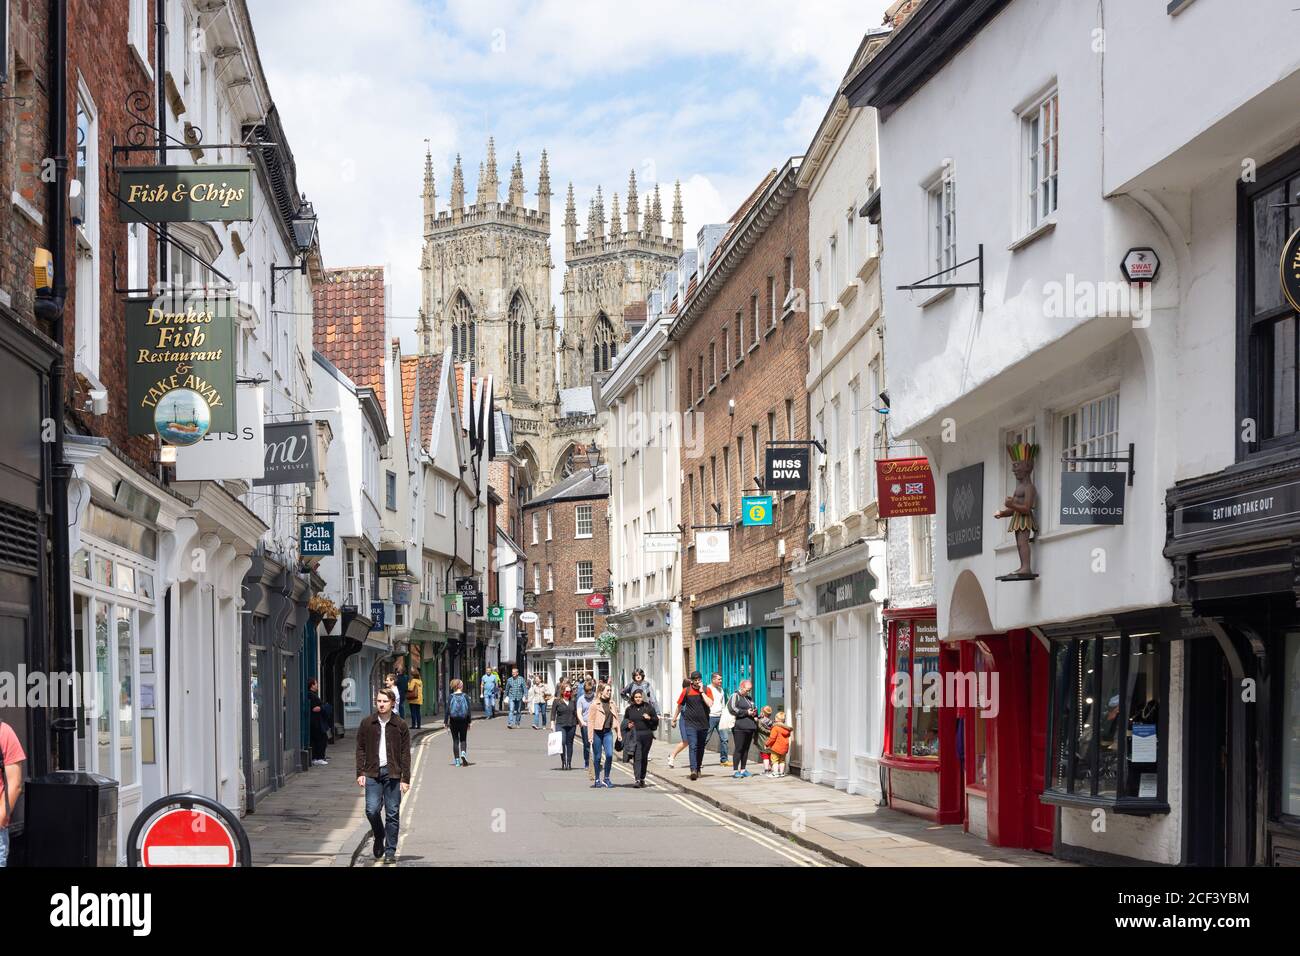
515, 807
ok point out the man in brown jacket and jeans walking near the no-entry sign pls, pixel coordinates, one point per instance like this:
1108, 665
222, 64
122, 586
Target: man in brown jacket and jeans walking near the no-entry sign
384, 771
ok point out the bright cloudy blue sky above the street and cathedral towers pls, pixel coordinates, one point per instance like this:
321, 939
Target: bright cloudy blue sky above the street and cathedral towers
713, 94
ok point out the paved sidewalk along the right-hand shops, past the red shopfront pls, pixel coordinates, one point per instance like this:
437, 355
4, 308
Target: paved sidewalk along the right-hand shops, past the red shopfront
847, 828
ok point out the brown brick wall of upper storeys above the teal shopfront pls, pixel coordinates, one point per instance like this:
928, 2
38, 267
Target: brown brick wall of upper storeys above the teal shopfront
770, 375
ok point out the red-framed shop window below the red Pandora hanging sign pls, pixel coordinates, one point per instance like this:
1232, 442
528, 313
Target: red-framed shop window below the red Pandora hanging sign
913, 721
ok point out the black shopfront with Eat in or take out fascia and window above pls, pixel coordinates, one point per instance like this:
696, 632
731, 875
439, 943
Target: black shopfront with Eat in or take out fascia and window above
1234, 540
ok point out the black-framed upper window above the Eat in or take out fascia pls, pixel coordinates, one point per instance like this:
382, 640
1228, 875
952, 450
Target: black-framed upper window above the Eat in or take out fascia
1268, 347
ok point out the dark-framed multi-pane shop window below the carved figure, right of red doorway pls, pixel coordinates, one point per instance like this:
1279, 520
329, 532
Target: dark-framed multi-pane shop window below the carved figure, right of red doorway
1108, 738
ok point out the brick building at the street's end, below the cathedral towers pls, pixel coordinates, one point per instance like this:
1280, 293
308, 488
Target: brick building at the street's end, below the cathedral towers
567, 550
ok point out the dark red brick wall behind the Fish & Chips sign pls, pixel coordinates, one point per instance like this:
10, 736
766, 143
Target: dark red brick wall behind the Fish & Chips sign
101, 58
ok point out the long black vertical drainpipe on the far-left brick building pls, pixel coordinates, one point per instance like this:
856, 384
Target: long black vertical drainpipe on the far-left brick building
51, 310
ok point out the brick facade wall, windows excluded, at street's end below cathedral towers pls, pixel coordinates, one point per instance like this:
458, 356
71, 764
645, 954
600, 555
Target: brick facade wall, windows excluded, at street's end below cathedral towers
564, 552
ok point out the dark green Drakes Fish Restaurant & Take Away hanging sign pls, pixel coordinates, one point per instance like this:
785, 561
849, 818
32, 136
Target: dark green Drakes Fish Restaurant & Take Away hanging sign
181, 367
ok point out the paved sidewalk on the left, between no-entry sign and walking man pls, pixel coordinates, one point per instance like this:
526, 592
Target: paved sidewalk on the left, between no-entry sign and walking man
319, 817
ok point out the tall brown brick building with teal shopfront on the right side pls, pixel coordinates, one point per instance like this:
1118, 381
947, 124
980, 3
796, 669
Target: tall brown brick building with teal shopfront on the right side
742, 340
